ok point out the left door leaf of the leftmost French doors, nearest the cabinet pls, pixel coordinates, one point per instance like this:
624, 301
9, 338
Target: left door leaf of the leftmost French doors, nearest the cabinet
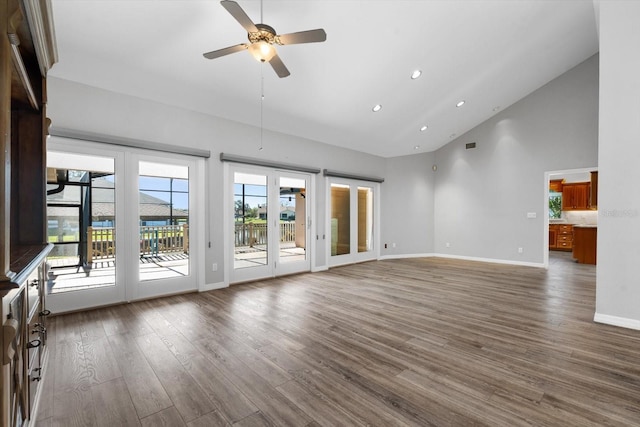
81, 218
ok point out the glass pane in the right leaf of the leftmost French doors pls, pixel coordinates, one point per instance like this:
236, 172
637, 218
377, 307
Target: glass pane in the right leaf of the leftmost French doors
163, 218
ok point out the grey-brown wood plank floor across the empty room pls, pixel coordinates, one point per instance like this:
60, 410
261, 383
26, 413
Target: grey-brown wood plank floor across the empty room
397, 342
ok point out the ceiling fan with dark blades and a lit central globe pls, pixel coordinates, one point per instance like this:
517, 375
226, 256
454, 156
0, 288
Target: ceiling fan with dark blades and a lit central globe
262, 38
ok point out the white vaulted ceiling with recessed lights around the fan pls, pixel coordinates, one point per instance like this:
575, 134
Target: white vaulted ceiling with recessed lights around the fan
489, 53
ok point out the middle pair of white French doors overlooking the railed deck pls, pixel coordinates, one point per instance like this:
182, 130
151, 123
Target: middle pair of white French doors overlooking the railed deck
270, 223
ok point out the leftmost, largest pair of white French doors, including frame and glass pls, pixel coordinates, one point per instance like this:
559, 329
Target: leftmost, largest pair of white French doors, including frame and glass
124, 224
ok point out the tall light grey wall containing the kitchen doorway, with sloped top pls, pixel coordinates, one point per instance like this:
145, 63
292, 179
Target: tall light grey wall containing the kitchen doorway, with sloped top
483, 195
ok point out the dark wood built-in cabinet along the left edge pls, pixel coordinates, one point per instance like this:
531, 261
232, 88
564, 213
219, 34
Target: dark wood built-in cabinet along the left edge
27, 52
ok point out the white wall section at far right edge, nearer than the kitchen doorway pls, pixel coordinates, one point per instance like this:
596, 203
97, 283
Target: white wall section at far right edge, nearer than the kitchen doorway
618, 286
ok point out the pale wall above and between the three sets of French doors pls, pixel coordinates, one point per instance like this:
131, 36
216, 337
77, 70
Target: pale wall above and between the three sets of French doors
80, 107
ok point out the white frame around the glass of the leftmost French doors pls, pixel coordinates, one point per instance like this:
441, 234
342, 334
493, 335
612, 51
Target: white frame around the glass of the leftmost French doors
127, 287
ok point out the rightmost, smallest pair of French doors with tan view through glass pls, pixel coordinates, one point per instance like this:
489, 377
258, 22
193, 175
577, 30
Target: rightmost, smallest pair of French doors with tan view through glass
353, 221
